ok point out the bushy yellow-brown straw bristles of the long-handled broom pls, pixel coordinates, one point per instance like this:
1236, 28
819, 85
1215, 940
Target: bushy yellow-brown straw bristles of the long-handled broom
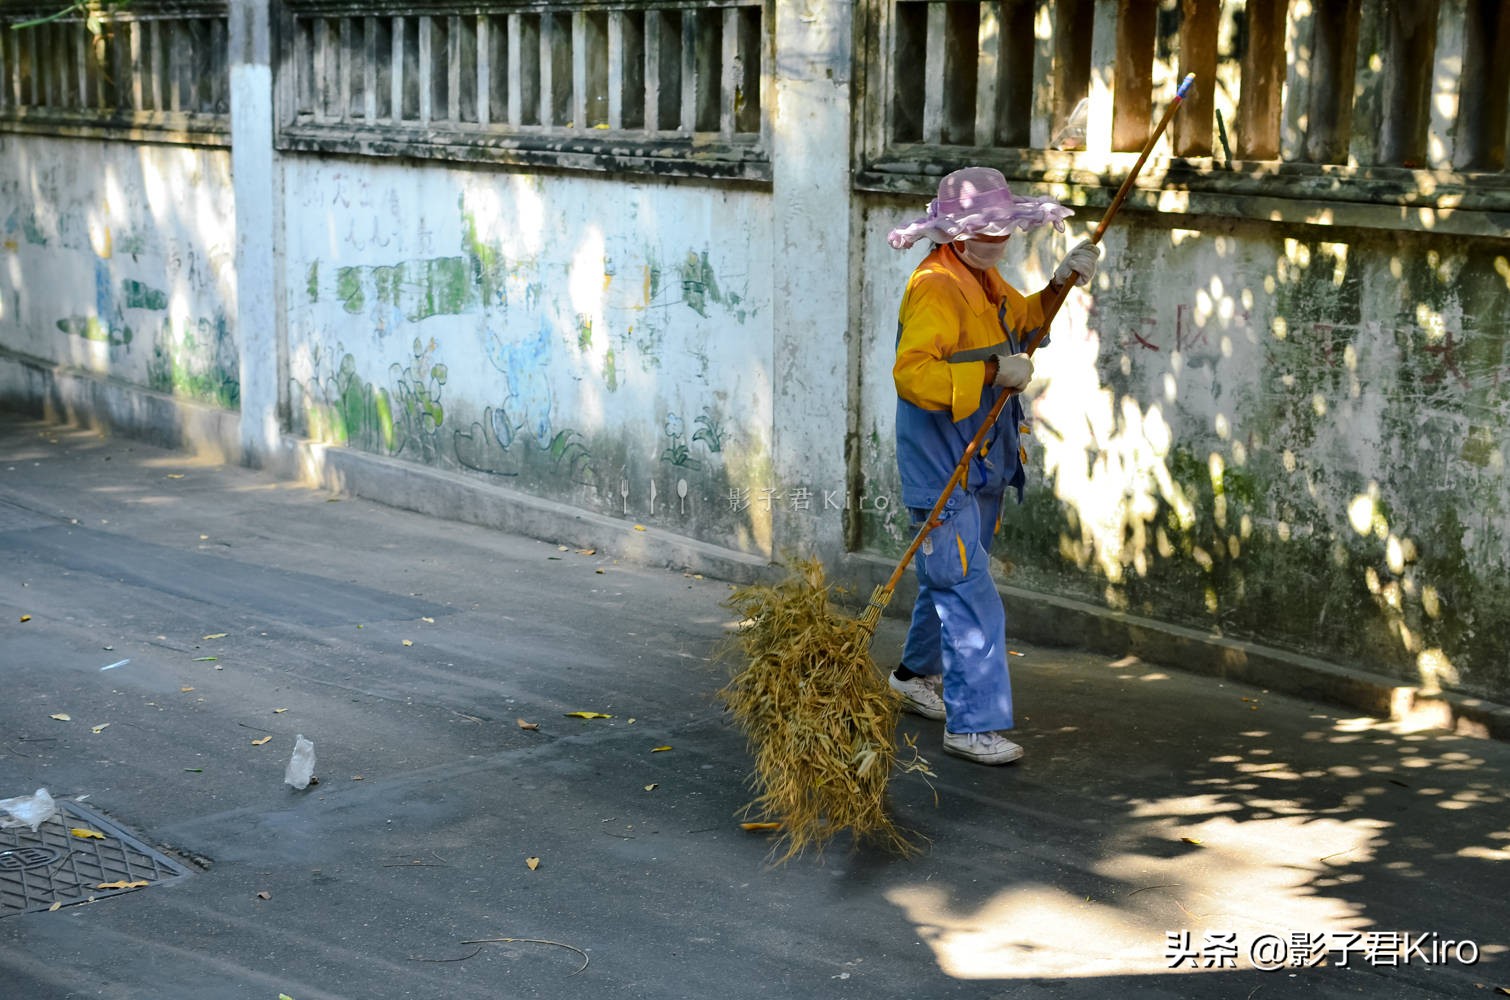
819, 717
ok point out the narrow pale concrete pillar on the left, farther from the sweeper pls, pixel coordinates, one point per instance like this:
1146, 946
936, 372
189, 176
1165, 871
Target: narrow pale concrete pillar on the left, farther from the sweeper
259, 214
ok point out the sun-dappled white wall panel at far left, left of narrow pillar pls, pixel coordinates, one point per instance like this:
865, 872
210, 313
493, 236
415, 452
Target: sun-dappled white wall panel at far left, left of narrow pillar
114, 271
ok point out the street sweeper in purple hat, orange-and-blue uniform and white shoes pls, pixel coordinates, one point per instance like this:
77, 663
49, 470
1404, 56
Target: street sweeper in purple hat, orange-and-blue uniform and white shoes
961, 341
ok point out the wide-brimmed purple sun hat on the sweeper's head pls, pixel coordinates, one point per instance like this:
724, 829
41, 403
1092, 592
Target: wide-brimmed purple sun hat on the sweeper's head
976, 202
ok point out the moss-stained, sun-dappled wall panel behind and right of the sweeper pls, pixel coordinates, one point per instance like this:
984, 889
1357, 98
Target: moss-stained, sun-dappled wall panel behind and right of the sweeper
1298, 436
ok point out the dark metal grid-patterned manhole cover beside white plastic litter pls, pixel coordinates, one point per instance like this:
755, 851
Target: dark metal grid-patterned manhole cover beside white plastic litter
54, 868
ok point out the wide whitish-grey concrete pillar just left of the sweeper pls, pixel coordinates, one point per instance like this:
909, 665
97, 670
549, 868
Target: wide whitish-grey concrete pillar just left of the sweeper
815, 268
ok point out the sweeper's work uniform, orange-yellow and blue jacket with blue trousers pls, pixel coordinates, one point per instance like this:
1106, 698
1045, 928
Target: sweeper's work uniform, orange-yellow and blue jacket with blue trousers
949, 326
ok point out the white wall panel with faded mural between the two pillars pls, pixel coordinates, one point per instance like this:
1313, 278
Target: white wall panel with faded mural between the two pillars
587, 360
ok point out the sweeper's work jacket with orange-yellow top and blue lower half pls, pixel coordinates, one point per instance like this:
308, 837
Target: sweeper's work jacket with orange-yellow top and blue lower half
949, 324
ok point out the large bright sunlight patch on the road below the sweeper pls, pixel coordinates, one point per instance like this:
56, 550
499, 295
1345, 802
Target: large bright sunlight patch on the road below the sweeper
1245, 878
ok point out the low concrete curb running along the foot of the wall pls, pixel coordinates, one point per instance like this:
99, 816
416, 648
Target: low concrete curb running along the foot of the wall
76, 398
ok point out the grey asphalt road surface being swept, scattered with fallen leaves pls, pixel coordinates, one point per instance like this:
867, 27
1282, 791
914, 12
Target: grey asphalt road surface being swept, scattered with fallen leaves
1165, 836
